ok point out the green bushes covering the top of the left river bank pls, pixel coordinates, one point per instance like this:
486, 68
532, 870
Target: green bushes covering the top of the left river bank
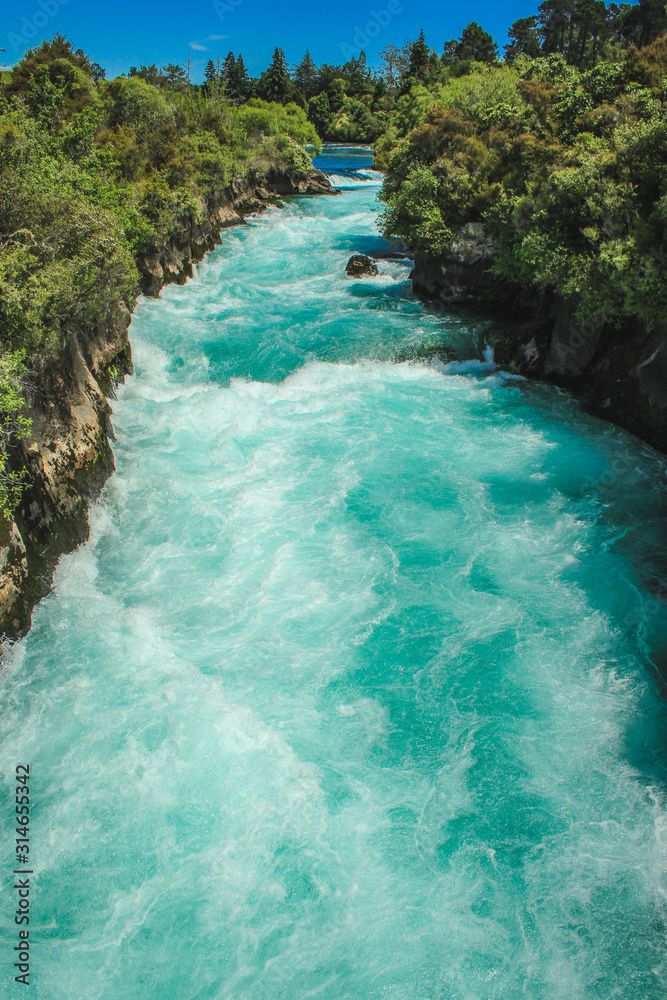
94, 174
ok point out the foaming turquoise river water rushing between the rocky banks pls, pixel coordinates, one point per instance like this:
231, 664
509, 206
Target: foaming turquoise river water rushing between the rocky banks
355, 690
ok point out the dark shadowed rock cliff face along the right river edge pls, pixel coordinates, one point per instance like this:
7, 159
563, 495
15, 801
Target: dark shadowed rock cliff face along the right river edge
618, 372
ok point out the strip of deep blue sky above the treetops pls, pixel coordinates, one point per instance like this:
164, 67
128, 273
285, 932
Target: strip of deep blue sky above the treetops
122, 33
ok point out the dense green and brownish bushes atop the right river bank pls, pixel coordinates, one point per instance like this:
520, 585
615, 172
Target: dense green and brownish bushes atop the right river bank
558, 154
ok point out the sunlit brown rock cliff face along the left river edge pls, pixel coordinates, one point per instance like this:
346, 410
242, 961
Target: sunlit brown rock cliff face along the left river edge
67, 456
